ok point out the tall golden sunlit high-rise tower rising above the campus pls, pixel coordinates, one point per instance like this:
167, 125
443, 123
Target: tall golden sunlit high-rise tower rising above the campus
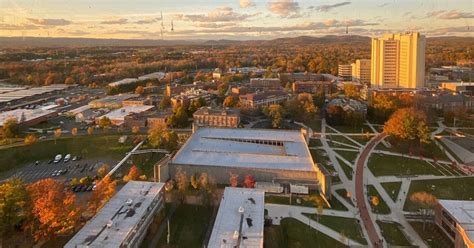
398, 61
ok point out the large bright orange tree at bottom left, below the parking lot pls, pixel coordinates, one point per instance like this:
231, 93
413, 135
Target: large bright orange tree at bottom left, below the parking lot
54, 210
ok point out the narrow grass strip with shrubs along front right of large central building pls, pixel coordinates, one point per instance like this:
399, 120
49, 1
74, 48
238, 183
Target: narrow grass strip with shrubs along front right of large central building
306, 201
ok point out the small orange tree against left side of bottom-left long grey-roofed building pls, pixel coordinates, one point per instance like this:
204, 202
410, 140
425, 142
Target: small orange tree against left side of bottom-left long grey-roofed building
105, 189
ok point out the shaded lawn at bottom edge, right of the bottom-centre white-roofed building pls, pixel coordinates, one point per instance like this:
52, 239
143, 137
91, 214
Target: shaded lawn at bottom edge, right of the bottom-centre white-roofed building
295, 234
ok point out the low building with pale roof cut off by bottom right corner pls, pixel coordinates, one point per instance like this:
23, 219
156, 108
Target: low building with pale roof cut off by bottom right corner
456, 219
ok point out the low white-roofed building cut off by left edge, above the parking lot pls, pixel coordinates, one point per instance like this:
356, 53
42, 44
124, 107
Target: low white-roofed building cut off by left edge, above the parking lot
27, 117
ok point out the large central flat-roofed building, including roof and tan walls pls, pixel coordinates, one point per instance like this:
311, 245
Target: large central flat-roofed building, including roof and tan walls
268, 155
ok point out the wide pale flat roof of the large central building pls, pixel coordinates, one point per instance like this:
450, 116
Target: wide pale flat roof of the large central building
247, 148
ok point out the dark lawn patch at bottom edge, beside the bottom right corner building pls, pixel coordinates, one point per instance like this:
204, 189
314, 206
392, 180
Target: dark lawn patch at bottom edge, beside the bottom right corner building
432, 235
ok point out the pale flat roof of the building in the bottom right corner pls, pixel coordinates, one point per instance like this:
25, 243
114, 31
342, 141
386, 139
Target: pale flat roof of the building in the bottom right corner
463, 212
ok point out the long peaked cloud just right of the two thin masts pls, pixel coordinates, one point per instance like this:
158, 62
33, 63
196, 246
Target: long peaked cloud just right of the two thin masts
222, 14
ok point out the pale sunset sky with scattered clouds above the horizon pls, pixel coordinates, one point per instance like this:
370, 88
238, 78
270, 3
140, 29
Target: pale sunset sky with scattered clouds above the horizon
232, 19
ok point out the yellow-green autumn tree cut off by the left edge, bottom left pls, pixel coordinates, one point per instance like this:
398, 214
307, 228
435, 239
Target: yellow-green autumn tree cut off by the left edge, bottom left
15, 205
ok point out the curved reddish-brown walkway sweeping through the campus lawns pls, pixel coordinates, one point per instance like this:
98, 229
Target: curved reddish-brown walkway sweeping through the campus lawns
360, 195
